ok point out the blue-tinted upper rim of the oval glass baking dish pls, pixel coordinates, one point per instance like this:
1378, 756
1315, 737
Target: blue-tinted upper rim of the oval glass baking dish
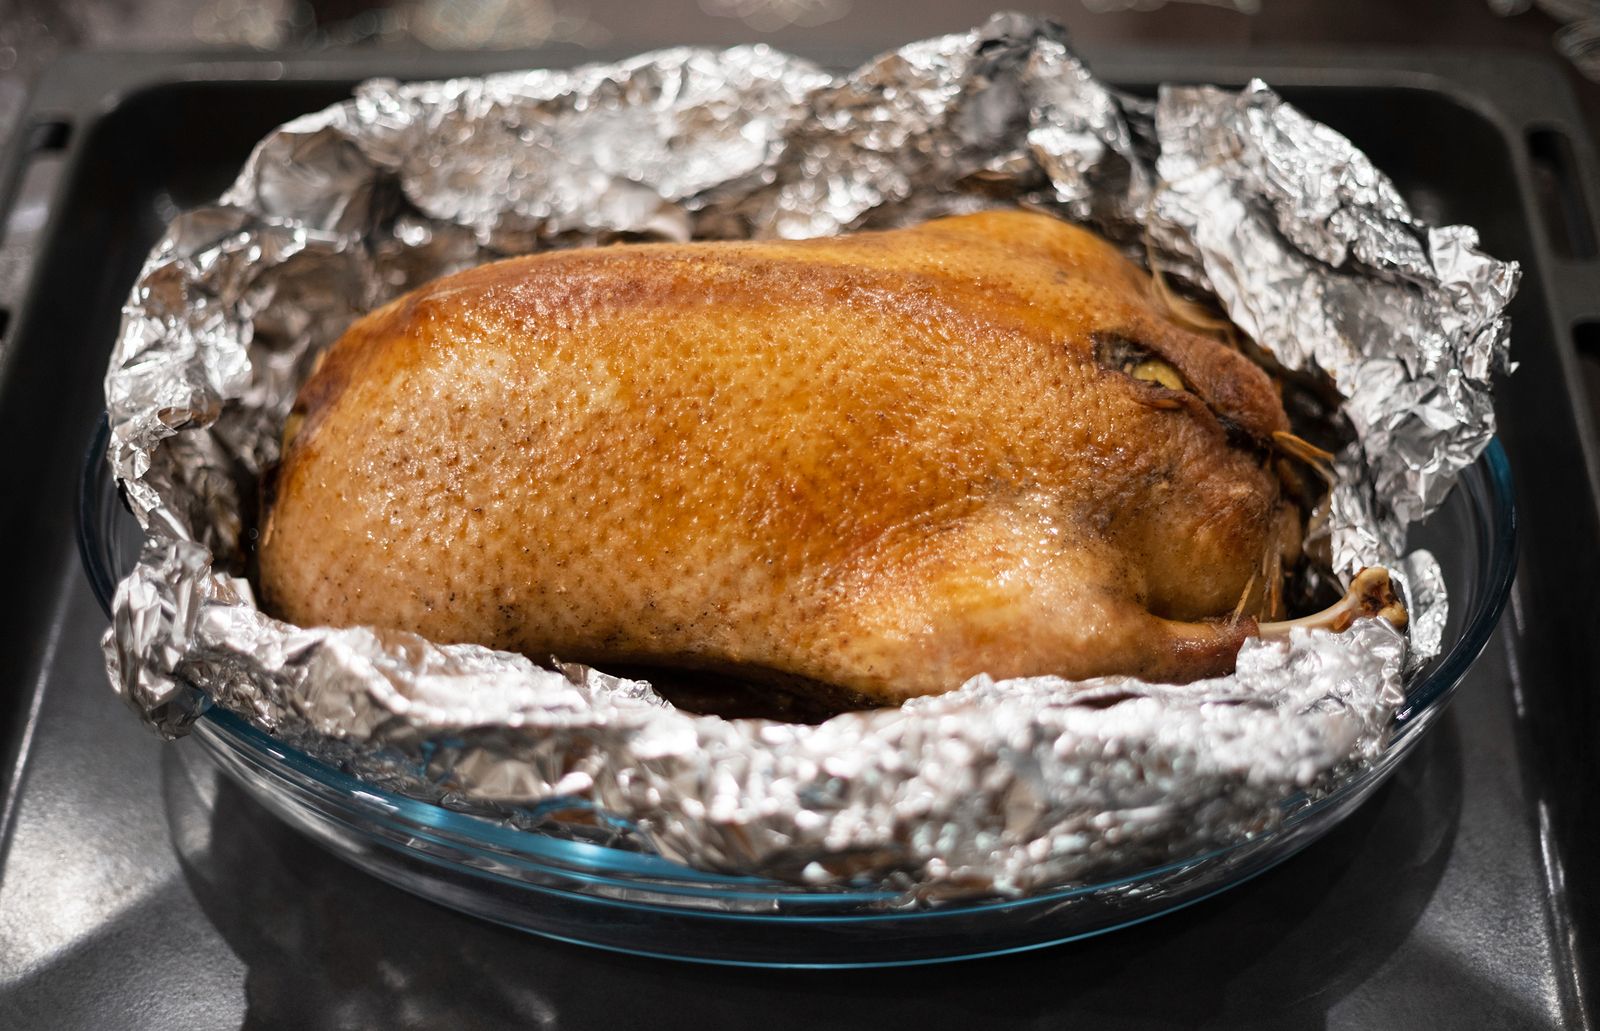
623, 869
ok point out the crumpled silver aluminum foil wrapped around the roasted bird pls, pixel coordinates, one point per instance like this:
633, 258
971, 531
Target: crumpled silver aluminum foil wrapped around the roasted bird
998, 787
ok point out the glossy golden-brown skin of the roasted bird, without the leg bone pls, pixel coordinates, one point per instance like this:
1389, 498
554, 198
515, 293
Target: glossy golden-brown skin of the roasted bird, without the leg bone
881, 463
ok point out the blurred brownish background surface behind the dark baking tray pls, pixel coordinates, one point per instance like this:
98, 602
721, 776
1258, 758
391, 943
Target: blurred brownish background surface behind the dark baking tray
34, 31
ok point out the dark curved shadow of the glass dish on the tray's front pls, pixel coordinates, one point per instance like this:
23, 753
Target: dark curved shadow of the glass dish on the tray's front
327, 945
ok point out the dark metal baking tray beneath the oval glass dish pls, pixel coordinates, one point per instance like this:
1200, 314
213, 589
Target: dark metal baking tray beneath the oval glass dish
137, 891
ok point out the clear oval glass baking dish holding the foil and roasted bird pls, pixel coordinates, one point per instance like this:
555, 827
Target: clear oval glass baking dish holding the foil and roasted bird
647, 905
